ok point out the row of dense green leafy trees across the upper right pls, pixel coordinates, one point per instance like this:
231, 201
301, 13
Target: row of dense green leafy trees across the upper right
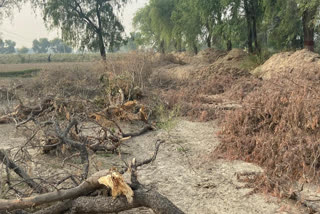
257, 25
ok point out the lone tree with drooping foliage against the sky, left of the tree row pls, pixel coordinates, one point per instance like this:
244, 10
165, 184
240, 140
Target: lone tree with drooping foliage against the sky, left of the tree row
91, 24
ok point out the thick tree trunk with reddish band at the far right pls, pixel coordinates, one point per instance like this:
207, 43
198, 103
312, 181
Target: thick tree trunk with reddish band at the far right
308, 28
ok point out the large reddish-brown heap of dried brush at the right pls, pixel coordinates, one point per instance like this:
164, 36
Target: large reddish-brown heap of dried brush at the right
278, 129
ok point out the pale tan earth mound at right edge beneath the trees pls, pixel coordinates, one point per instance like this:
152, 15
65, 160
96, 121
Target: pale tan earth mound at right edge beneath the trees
302, 61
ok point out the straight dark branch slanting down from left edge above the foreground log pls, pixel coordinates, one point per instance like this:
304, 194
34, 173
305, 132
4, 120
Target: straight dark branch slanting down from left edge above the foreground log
27, 179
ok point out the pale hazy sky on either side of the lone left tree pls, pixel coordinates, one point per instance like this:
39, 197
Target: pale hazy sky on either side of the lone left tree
26, 26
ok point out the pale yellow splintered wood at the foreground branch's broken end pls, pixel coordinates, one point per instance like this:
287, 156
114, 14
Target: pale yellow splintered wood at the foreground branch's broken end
116, 182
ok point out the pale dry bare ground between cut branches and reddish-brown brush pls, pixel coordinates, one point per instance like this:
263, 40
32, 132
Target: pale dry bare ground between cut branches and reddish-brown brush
195, 185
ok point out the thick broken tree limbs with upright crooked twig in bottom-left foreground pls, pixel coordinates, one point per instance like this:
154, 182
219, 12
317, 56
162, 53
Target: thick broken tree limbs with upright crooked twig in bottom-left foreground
82, 202
